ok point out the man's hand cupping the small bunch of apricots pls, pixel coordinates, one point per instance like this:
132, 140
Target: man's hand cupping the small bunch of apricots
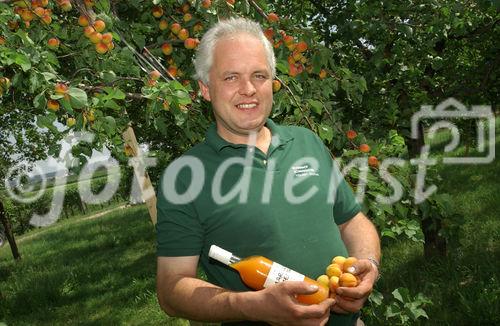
352, 299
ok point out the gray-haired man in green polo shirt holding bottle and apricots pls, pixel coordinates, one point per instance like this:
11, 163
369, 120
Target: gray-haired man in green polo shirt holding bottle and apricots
255, 188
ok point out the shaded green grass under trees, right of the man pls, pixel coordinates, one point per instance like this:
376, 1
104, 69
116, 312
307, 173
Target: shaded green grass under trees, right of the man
465, 286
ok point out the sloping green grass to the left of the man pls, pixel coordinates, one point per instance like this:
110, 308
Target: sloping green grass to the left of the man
87, 272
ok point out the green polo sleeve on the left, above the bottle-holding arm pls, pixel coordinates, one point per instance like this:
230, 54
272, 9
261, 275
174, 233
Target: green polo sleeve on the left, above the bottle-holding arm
178, 229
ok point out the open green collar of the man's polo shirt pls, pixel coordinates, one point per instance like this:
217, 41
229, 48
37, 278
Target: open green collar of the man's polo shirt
280, 134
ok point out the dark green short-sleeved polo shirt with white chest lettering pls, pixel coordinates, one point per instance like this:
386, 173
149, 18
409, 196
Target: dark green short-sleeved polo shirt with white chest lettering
284, 205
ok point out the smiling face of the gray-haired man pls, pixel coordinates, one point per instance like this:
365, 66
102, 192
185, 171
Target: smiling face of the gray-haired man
240, 87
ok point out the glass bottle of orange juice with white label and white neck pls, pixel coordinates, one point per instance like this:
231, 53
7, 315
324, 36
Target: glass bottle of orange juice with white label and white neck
259, 272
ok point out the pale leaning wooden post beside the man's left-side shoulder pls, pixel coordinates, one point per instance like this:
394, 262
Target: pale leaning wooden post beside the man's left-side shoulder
145, 185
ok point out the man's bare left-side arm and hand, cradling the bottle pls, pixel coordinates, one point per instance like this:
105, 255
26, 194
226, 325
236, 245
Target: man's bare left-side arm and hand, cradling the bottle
181, 294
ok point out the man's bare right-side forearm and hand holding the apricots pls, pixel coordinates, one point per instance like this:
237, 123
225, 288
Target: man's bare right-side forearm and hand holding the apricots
362, 241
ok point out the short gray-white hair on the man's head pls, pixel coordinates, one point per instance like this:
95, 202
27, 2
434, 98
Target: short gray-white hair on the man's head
232, 26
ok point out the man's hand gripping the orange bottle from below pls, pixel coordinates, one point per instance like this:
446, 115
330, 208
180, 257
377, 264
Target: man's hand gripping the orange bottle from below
278, 305
